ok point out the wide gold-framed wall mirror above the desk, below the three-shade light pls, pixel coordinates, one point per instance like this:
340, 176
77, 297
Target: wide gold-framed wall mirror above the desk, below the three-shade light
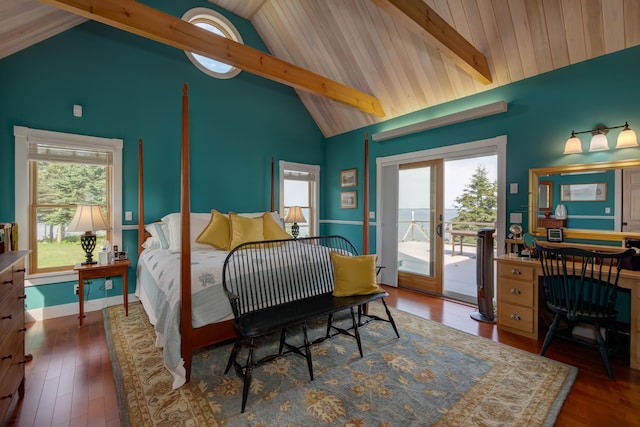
608, 216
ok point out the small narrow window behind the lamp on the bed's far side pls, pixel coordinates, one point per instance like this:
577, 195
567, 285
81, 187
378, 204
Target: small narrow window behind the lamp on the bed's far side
299, 186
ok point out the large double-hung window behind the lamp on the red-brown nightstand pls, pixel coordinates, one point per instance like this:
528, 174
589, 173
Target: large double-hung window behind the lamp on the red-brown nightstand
55, 173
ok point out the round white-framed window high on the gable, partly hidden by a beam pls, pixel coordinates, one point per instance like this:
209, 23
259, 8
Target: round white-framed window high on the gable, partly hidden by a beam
210, 20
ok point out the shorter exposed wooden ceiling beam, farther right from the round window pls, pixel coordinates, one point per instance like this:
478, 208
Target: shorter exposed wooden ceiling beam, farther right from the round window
418, 17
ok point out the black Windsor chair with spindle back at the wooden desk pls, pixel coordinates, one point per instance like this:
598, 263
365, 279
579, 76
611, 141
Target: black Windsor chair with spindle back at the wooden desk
581, 286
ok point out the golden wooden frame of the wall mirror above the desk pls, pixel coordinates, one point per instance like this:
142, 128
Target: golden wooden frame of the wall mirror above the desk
573, 233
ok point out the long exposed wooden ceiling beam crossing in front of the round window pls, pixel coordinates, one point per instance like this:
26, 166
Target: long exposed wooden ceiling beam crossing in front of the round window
153, 24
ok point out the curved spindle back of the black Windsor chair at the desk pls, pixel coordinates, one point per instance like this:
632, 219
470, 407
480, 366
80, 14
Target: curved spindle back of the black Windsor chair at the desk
579, 283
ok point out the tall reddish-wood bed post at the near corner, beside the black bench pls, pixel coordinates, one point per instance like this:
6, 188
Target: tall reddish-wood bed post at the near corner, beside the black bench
185, 247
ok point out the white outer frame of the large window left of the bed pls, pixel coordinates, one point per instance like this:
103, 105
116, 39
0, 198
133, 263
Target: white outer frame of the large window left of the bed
24, 135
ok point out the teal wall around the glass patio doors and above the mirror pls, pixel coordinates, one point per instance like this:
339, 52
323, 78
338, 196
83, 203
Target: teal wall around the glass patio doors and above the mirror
542, 112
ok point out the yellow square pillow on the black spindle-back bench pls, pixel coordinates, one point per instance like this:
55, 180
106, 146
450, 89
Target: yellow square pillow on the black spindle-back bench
354, 275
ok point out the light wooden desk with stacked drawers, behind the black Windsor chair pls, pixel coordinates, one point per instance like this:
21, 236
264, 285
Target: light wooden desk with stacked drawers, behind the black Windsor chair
519, 299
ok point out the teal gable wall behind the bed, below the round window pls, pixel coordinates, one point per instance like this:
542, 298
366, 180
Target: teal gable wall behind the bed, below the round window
131, 88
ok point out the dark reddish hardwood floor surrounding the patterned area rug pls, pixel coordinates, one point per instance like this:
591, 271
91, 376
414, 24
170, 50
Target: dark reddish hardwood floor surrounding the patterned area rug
70, 380
